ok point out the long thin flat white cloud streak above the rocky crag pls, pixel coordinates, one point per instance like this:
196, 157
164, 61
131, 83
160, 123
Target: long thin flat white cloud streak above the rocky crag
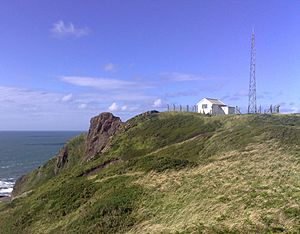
99, 83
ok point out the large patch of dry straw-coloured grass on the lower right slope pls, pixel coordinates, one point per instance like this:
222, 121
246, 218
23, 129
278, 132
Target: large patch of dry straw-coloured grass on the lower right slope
240, 191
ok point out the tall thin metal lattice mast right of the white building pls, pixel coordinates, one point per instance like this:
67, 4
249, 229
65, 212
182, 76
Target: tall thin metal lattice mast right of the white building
252, 109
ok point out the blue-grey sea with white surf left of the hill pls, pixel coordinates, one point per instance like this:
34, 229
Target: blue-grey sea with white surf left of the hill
21, 152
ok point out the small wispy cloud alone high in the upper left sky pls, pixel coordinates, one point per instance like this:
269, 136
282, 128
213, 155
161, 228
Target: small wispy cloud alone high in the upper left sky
60, 30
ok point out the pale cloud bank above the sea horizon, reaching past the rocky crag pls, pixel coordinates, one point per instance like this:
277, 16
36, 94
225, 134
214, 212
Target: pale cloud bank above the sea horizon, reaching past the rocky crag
32, 109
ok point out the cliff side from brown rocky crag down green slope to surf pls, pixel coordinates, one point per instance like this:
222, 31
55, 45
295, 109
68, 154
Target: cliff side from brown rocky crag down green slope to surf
78, 149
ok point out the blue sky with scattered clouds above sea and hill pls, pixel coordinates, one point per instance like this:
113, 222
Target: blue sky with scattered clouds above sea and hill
62, 62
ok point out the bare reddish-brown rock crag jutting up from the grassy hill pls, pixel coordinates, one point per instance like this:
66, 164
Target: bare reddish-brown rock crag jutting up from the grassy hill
102, 127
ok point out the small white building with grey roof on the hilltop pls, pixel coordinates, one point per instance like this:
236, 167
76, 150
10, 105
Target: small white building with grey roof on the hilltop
214, 107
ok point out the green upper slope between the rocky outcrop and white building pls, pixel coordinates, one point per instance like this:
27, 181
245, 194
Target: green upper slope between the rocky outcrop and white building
159, 130
